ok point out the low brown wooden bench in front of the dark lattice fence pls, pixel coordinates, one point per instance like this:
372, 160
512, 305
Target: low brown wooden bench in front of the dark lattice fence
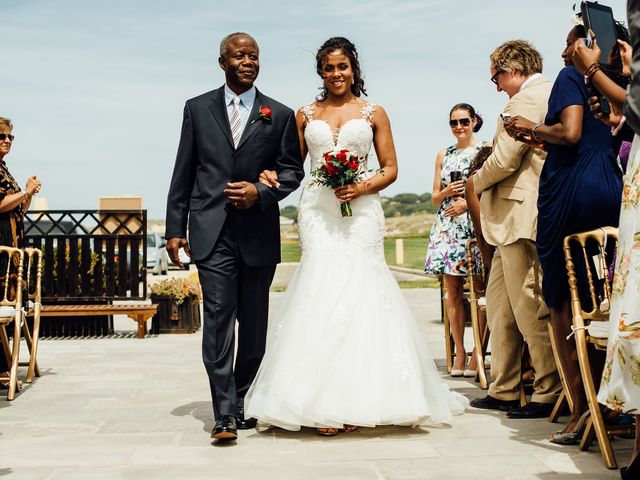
138, 313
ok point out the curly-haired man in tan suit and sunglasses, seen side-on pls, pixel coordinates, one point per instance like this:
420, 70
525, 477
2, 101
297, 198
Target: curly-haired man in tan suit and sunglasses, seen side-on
508, 184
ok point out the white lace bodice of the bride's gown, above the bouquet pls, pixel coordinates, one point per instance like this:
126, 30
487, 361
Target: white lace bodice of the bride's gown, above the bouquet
356, 135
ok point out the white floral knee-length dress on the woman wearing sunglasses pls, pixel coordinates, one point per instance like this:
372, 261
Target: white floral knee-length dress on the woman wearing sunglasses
447, 250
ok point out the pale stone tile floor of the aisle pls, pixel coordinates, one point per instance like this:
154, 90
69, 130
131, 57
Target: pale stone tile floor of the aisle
123, 408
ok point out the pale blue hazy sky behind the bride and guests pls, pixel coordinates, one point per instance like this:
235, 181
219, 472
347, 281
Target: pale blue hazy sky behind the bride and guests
96, 89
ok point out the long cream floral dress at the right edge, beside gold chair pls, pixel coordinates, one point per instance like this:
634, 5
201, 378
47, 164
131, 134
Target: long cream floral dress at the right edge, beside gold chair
620, 387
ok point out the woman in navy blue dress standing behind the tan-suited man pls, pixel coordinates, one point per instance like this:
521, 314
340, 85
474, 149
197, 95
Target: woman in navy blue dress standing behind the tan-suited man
580, 189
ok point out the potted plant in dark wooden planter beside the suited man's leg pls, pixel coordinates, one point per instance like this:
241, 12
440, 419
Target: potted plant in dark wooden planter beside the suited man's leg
178, 301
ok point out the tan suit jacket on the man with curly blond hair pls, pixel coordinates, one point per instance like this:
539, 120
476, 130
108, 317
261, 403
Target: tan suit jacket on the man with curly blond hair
508, 180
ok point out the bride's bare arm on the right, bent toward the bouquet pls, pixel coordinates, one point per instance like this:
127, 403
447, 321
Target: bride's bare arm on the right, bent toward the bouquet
386, 153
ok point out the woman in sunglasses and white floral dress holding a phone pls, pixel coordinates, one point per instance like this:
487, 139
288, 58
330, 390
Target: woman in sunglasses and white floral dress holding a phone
446, 252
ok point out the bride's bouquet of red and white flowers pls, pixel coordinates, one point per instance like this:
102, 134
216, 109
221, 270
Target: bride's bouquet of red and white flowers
341, 167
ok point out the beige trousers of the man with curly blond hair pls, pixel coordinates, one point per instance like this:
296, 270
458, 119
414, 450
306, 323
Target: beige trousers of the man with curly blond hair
516, 313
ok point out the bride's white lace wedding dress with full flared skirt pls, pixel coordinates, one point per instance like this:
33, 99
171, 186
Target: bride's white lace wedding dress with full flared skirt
343, 346
